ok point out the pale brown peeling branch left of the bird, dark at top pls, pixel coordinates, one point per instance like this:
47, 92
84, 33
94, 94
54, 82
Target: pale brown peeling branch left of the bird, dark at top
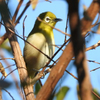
16, 49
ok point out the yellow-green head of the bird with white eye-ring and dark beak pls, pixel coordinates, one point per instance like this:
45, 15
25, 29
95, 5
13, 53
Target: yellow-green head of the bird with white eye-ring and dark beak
48, 21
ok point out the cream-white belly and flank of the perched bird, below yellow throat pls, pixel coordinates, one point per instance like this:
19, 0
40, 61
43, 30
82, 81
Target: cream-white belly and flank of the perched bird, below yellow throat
33, 58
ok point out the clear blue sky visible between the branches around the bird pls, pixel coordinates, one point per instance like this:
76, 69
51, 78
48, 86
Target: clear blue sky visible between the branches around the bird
60, 9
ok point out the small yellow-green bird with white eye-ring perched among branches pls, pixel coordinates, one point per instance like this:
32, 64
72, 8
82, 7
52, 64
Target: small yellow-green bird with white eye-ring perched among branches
41, 37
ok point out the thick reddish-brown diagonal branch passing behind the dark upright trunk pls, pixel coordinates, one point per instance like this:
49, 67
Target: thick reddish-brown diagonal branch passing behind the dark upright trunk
59, 68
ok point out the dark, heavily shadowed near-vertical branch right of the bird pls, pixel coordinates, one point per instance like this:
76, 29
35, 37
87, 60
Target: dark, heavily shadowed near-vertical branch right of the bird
78, 41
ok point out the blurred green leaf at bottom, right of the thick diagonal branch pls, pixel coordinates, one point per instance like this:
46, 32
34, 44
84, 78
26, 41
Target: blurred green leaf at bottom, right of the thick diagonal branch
62, 93
